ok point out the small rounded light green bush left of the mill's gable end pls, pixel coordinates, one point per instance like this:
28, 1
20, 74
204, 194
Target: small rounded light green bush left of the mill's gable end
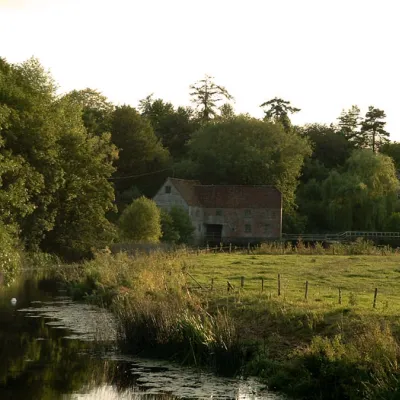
140, 221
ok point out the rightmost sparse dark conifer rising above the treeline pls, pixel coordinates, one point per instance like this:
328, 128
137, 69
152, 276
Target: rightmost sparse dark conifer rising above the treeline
372, 128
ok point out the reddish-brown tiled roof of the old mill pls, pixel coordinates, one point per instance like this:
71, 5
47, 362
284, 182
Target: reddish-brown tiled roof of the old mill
227, 196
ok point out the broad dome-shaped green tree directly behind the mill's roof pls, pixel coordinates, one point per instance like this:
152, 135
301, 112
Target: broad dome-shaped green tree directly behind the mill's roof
247, 151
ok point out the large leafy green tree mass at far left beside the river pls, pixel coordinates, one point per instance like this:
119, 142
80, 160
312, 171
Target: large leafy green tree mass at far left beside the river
54, 172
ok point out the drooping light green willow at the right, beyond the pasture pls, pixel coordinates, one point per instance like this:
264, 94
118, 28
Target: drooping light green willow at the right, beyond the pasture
364, 195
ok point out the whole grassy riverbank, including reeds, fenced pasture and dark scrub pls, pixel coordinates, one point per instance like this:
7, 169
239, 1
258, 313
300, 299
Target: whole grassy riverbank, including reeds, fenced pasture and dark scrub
331, 345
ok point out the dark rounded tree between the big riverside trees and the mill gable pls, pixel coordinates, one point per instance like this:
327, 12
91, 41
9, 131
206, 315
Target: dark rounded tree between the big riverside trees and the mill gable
140, 152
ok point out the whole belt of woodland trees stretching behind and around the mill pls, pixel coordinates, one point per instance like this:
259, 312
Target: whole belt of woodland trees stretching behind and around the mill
70, 164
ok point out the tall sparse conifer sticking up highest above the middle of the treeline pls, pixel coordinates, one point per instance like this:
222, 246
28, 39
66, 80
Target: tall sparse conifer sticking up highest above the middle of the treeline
206, 94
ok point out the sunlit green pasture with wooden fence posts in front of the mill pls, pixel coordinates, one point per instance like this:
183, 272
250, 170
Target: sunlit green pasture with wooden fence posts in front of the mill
356, 276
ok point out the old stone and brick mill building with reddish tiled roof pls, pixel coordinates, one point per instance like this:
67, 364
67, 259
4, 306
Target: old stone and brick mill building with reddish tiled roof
226, 213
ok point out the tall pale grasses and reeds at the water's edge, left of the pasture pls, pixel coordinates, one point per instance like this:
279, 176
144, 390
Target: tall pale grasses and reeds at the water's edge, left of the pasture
156, 314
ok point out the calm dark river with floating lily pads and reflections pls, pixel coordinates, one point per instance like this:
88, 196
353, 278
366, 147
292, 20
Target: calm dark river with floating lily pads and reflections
47, 352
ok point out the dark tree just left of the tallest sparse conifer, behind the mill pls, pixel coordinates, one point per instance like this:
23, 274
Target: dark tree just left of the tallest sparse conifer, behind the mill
174, 127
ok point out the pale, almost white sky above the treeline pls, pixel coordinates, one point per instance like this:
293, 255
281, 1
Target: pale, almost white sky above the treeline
321, 55
